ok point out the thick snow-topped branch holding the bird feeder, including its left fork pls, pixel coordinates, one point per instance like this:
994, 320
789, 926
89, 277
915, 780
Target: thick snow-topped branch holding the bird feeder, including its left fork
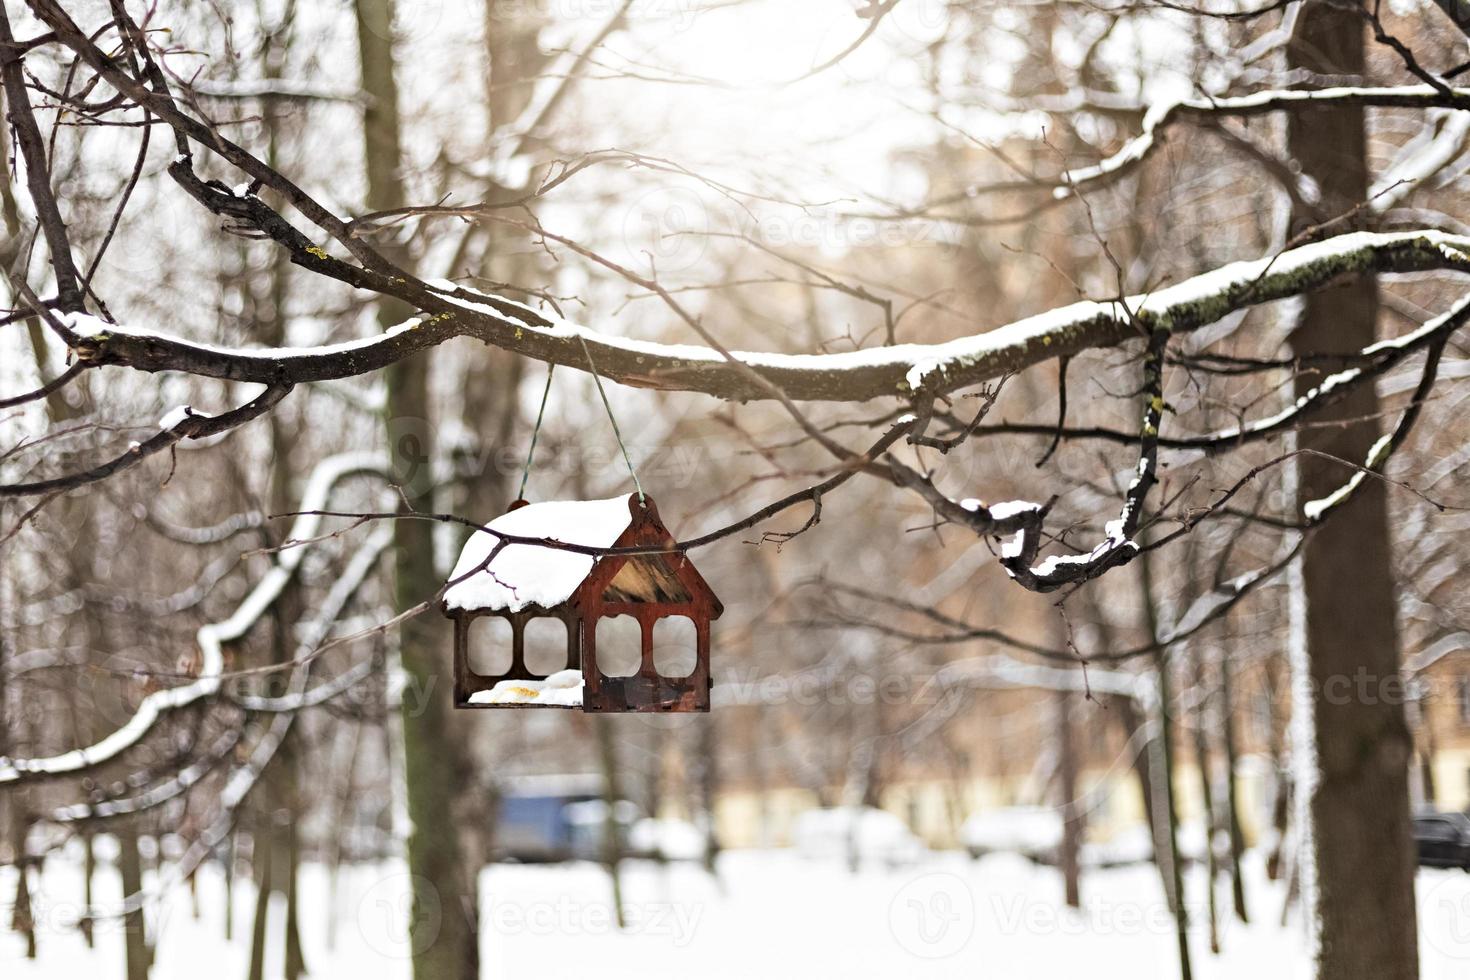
903, 370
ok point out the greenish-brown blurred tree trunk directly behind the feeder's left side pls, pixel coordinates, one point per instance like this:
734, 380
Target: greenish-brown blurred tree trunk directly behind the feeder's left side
445, 922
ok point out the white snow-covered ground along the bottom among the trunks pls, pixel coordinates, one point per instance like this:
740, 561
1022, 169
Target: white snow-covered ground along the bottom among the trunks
772, 915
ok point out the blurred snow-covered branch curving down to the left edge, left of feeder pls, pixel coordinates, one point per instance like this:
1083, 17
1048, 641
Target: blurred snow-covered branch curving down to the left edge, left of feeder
212, 637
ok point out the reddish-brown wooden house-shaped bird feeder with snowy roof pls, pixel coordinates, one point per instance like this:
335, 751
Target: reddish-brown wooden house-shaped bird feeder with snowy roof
521, 584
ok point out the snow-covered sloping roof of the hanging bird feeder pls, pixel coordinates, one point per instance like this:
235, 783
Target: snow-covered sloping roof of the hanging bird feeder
526, 577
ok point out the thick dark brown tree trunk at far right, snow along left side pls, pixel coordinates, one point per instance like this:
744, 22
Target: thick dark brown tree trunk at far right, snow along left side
1360, 898
